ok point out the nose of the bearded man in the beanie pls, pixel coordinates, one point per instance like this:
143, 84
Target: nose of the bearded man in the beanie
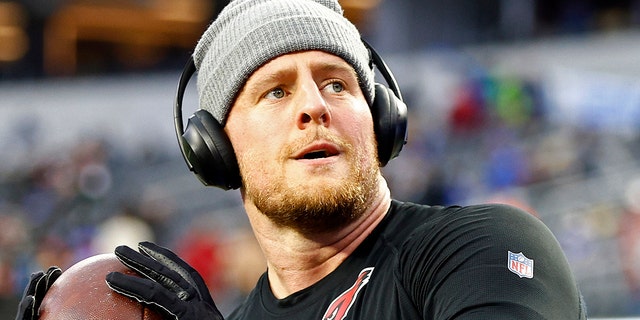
314, 108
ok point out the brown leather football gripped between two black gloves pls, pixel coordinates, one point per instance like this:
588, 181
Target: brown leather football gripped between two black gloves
81, 293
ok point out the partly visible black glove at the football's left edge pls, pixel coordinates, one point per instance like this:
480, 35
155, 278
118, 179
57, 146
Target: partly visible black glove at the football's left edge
39, 284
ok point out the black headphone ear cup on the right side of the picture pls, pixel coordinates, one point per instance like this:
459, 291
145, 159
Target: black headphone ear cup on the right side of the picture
389, 122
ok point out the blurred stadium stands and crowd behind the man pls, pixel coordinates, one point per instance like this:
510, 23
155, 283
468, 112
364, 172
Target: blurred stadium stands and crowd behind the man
530, 102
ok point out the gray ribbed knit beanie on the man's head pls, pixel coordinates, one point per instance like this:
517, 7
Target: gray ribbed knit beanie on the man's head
249, 33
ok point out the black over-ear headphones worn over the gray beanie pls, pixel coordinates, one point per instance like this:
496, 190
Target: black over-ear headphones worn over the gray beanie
207, 150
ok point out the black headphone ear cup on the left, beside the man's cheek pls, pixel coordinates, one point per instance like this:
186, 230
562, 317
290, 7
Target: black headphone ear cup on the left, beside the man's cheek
209, 153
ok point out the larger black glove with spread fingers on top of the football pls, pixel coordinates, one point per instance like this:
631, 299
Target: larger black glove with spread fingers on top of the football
169, 283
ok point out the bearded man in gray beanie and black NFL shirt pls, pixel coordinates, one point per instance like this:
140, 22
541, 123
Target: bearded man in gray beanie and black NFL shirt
292, 85
